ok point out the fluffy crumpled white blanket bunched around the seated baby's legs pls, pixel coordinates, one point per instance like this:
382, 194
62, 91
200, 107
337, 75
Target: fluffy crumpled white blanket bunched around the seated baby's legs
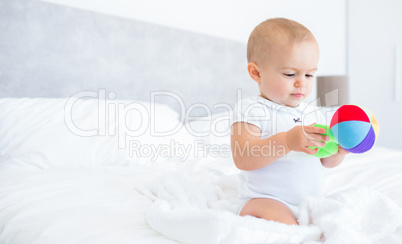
200, 208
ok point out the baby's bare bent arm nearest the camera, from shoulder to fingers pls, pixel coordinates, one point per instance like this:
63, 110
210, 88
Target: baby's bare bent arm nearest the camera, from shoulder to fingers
251, 153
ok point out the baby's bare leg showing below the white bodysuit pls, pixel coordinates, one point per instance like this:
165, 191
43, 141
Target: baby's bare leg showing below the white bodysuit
269, 209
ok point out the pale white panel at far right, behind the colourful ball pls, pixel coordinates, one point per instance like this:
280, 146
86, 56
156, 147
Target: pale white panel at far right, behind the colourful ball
375, 31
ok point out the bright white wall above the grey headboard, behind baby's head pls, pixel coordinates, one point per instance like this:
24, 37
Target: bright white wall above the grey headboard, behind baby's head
235, 19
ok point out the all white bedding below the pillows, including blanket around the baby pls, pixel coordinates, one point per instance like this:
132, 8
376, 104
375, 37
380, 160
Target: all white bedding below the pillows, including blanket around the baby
192, 202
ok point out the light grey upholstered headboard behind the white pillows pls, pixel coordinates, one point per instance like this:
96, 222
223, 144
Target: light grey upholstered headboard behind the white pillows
49, 50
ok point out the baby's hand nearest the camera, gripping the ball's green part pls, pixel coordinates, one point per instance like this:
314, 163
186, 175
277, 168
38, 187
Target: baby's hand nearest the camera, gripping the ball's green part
300, 138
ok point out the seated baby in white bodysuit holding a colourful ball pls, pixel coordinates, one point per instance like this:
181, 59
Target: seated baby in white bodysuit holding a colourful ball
272, 133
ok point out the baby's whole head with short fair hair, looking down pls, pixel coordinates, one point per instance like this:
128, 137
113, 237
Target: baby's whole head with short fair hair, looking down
282, 58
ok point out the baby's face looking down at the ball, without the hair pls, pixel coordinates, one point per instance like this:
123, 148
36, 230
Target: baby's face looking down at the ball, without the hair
287, 75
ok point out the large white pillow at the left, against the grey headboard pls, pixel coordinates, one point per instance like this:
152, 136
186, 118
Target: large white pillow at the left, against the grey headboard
70, 132
